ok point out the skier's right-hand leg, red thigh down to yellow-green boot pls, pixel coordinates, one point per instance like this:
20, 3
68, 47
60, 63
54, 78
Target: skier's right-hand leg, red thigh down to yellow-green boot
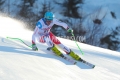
66, 49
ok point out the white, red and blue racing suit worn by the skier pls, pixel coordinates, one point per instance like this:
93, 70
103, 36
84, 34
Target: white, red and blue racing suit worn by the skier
43, 34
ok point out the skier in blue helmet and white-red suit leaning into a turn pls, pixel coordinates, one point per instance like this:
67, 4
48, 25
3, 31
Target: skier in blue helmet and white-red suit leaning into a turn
43, 35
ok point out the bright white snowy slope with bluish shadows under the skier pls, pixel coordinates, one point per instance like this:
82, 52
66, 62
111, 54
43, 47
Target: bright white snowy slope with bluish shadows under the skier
18, 62
